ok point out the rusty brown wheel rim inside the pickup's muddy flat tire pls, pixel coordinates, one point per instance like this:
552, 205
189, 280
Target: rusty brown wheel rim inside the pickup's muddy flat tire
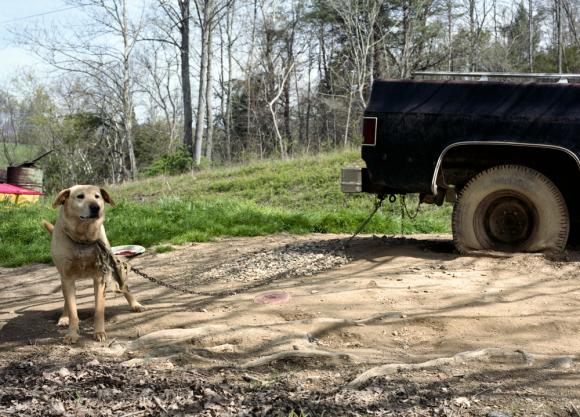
505, 220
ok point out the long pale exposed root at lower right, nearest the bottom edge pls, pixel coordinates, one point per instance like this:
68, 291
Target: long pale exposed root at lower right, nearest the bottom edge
495, 354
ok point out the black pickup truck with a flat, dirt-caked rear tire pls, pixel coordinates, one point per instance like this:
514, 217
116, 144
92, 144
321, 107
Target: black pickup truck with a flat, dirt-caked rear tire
506, 153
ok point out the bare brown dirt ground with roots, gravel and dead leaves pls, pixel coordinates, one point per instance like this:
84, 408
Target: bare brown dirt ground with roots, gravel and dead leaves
392, 326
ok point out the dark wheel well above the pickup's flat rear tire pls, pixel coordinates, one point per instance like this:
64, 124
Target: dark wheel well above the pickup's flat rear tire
459, 164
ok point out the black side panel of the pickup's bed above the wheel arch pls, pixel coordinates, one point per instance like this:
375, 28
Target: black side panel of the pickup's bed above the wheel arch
418, 120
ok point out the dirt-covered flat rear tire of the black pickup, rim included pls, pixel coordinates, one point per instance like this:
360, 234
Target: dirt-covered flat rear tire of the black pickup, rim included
510, 208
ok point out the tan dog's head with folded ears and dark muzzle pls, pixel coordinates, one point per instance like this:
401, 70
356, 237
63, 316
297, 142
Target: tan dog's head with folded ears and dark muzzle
83, 203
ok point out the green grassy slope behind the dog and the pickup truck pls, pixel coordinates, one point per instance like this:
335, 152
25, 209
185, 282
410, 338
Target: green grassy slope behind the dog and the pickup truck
298, 196
